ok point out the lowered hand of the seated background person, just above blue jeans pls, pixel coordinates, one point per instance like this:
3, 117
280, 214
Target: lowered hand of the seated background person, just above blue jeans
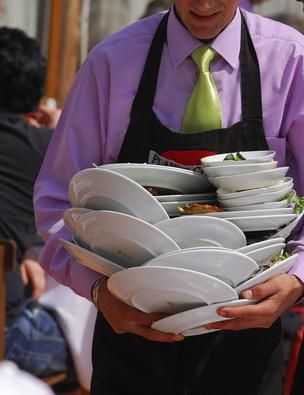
33, 274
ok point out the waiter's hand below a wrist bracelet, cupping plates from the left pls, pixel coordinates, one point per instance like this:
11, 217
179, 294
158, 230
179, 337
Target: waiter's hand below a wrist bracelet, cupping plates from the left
125, 319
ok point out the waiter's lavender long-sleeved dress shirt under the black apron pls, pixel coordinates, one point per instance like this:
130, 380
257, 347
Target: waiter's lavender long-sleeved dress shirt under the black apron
97, 112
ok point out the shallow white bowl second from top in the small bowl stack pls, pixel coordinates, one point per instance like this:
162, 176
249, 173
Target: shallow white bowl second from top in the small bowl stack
219, 171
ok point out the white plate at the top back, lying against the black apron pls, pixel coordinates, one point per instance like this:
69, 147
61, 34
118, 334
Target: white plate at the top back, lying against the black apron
173, 178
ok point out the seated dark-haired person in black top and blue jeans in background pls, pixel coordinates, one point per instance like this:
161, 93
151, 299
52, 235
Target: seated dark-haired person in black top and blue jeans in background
34, 339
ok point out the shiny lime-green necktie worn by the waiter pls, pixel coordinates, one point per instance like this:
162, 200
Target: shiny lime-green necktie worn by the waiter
203, 110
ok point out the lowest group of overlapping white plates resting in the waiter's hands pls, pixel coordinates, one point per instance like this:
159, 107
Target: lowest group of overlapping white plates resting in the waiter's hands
191, 284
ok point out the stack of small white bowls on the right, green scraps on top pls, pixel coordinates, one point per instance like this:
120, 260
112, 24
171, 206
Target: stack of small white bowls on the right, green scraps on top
251, 191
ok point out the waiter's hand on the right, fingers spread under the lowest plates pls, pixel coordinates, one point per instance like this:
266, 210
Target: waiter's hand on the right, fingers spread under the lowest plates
276, 295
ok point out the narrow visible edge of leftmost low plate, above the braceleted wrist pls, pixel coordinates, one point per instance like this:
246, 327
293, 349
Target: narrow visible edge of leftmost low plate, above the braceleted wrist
91, 260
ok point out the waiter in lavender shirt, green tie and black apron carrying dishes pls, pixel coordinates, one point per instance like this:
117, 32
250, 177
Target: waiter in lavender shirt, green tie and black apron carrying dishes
136, 99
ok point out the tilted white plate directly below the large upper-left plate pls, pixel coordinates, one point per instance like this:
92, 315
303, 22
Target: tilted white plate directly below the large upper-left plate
122, 238
